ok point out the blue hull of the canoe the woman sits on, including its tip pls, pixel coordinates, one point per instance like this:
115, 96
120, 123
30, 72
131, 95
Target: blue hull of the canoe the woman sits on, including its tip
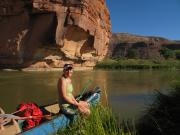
61, 121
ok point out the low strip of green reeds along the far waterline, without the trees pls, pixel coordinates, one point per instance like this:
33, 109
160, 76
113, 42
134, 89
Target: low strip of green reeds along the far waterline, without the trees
138, 64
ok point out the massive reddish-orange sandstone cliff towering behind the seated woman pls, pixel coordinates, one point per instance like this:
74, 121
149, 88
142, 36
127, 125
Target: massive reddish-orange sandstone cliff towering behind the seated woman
48, 33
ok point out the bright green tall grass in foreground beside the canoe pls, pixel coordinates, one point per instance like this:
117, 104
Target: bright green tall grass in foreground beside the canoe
102, 121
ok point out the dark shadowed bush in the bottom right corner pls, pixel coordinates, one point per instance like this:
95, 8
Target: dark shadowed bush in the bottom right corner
163, 115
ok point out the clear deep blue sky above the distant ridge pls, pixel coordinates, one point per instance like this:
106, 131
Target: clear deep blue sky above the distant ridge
146, 17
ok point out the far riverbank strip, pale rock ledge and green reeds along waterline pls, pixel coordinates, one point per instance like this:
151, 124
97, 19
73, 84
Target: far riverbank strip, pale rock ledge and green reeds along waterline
115, 64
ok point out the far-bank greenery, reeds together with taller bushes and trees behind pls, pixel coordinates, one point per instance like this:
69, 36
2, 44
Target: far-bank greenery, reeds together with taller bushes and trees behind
135, 58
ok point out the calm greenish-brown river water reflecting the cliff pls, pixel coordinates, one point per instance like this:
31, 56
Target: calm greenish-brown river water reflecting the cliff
127, 92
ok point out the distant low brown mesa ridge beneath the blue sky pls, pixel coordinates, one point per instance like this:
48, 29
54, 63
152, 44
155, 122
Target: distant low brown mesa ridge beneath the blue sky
145, 47
